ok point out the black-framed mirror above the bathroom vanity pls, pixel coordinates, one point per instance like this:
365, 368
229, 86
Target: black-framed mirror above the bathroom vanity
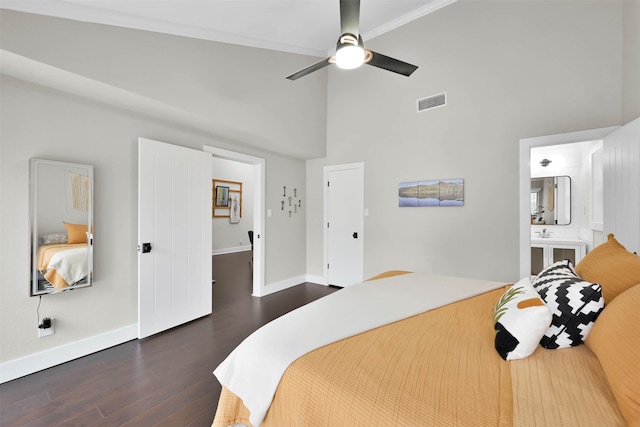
551, 200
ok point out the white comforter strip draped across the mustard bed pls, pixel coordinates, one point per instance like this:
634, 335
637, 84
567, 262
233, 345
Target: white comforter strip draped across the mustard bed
254, 369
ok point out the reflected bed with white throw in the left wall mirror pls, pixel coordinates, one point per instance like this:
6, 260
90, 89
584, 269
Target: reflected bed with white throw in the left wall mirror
63, 265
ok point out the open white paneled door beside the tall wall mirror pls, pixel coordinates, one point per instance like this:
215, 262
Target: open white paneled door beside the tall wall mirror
174, 236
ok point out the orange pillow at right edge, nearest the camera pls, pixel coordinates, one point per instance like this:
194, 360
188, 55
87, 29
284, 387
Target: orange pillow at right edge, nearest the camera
615, 340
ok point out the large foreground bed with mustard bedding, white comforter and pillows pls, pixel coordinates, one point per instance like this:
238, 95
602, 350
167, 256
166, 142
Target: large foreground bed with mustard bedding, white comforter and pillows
452, 365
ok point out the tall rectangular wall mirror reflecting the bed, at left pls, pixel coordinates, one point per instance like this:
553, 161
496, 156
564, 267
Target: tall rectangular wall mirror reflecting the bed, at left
61, 226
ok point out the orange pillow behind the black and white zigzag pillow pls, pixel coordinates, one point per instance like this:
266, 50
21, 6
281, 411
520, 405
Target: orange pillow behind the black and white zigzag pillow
612, 267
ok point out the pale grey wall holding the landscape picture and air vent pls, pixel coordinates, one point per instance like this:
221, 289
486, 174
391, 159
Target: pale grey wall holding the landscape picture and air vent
511, 70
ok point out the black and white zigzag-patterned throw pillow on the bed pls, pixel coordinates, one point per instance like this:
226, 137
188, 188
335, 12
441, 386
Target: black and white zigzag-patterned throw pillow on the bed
574, 303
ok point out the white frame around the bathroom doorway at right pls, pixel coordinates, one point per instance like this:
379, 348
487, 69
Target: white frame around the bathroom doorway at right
525, 181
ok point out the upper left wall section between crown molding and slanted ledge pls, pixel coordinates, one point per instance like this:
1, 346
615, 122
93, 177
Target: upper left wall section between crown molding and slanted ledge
240, 92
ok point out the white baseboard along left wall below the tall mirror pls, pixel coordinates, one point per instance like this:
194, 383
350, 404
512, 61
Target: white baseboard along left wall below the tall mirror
23, 366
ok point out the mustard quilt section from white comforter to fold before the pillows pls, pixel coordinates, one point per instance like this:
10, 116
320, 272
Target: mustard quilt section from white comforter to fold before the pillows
438, 368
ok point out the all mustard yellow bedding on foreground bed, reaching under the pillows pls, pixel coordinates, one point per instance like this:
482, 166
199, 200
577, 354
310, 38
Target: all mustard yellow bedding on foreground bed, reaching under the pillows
439, 368
